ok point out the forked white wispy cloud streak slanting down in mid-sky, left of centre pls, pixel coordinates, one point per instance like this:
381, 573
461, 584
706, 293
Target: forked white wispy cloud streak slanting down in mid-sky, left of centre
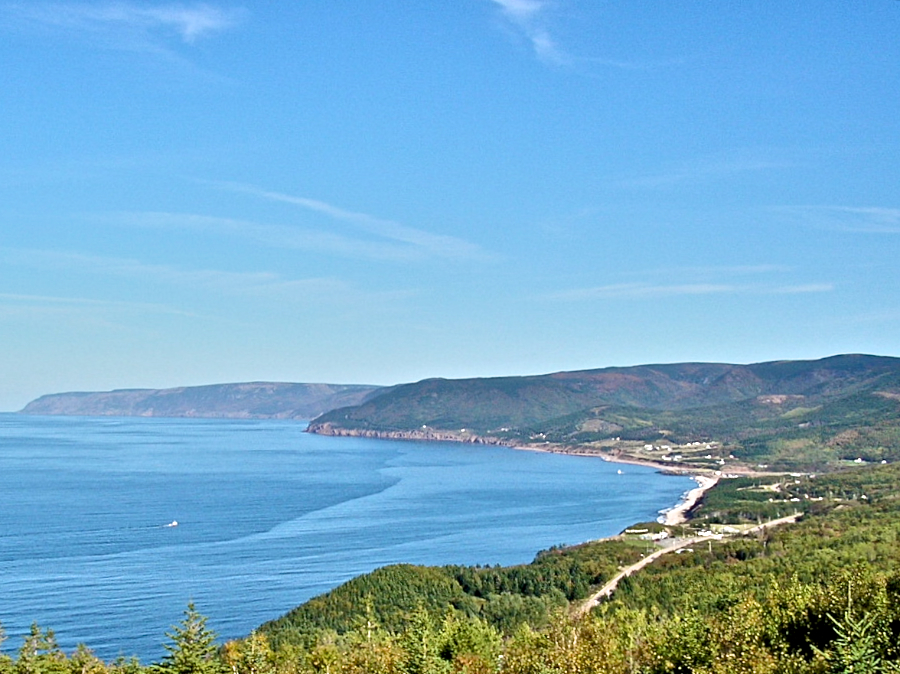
391, 239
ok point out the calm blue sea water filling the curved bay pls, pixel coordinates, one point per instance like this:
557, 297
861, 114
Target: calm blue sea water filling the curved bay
268, 516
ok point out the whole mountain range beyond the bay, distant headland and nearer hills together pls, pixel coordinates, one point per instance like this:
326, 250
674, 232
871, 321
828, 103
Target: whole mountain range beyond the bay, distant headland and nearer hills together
792, 414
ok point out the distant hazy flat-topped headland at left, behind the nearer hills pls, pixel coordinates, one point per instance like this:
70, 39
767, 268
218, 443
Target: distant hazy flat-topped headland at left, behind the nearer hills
258, 400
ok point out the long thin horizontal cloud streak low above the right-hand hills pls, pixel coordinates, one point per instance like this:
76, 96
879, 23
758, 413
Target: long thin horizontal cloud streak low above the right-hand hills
652, 291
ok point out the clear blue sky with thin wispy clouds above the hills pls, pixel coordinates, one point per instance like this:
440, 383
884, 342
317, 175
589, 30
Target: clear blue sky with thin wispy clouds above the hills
381, 192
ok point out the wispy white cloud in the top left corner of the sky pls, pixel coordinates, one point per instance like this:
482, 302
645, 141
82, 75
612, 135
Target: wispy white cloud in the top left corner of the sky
127, 25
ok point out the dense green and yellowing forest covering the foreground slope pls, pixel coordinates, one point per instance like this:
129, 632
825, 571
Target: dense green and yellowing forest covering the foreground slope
819, 595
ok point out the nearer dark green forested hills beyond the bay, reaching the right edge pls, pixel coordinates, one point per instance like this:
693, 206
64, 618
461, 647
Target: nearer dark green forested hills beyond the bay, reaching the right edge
842, 400
